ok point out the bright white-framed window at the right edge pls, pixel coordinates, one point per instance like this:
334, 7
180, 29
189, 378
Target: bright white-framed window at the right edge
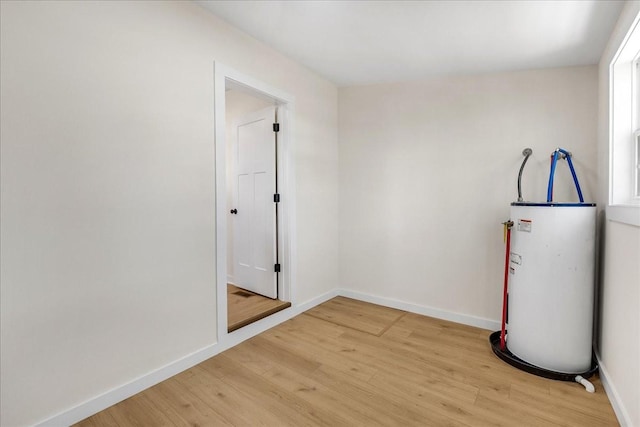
624, 127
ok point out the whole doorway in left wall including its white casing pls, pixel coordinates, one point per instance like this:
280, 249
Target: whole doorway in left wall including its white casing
254, 202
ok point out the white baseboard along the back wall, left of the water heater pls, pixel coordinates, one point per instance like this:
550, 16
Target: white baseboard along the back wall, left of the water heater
478, 322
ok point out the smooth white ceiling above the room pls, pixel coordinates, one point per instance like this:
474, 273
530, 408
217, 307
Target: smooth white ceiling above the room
367, 42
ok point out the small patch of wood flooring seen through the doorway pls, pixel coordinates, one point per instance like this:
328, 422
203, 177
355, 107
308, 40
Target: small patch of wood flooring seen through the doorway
244, 307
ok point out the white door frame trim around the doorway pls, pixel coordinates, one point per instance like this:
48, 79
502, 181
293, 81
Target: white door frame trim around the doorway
286, 186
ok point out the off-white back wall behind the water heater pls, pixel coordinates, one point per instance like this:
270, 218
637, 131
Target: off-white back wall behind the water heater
428, 169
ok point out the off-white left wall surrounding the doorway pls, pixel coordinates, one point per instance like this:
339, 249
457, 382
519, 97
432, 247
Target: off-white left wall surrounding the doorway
108, 216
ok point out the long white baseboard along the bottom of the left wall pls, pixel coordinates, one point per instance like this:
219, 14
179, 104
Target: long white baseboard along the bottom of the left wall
118, 394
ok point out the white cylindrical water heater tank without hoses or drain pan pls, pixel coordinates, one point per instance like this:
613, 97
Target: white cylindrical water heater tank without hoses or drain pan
551, 285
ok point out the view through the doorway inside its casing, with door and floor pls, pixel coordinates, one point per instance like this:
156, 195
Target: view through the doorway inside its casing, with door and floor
253, 267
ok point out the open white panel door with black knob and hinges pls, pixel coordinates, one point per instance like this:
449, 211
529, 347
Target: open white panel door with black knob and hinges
254, 210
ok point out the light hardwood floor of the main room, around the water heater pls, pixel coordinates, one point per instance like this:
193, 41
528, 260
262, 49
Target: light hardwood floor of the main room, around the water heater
349, 363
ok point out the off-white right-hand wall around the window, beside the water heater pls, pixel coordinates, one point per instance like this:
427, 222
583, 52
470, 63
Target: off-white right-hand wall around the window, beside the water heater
618, 338
